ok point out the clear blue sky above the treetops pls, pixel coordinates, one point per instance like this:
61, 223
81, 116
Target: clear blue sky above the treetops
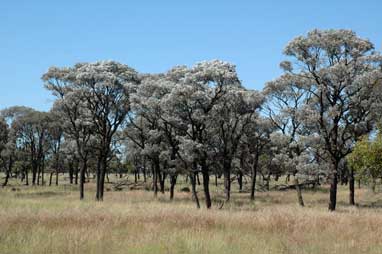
153, 36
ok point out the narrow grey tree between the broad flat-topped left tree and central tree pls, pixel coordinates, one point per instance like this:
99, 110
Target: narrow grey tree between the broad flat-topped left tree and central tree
145, 126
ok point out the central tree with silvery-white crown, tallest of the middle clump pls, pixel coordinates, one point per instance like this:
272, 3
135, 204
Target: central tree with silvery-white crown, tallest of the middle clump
191, 101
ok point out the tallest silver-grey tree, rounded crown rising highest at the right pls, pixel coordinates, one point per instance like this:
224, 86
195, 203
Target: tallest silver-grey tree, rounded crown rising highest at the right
340, 72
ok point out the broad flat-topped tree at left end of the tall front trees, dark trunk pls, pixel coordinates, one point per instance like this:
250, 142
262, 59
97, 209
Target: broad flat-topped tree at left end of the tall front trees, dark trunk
103, 88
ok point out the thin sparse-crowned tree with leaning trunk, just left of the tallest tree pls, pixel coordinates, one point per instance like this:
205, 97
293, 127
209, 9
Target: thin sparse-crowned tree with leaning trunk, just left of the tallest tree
285, 96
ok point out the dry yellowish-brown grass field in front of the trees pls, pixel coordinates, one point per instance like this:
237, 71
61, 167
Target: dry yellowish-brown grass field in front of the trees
53, 220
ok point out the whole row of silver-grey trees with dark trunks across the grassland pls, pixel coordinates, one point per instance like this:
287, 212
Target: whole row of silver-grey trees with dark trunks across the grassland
200, 121
